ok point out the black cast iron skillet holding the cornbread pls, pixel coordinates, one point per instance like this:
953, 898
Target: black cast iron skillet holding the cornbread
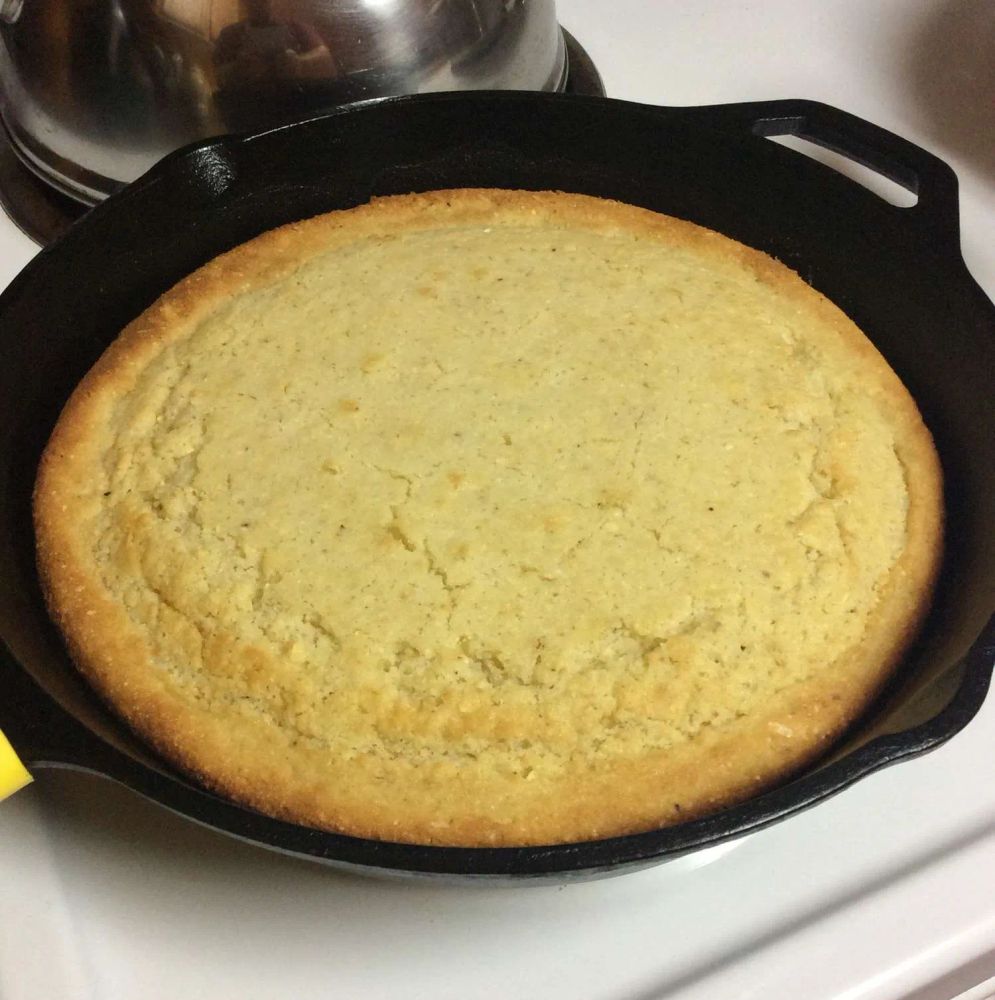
897, 271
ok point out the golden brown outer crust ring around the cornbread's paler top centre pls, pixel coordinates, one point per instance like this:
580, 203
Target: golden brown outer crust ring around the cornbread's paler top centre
243, 754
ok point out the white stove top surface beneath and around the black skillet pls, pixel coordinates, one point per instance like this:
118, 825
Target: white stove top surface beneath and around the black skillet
885, 892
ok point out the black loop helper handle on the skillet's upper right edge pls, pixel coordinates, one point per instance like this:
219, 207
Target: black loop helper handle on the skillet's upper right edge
936, 212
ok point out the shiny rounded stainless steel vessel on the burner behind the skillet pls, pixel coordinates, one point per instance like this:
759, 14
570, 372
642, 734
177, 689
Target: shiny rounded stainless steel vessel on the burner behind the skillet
93, 92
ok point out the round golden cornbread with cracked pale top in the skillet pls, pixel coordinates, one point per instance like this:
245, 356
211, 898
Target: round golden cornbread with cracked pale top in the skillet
489, 518
